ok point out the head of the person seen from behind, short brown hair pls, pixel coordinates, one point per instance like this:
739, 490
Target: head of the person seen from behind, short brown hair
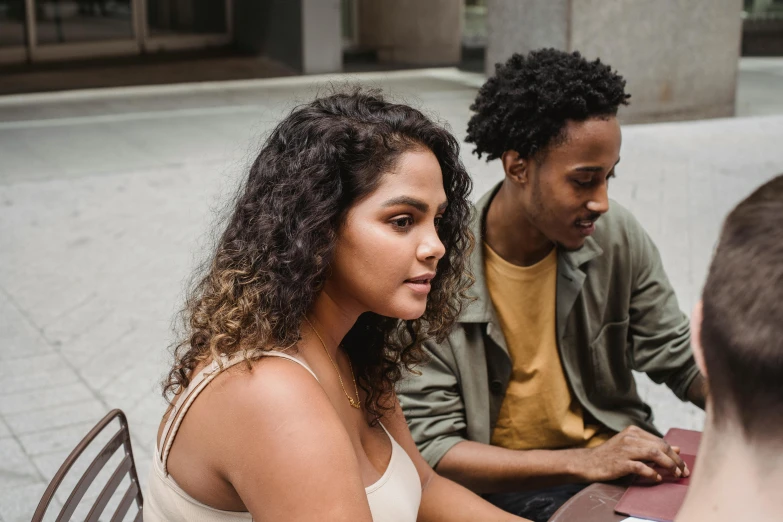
738, 327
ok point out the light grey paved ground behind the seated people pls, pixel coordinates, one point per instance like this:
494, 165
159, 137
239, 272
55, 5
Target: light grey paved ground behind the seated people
107, 199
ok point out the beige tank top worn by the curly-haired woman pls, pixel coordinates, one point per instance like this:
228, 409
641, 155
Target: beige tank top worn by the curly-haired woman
393, 498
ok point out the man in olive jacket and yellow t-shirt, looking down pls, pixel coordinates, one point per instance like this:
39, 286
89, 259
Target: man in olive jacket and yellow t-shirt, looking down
532, 395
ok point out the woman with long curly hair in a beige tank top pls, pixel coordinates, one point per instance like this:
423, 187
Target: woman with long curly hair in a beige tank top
345, 249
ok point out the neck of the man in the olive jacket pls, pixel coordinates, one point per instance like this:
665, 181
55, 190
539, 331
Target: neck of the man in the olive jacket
511, 234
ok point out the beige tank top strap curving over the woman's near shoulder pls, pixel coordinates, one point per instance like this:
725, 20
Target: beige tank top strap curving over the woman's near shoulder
183, 402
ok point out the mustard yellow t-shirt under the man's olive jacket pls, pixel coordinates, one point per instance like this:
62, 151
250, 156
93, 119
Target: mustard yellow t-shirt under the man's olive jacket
538, 411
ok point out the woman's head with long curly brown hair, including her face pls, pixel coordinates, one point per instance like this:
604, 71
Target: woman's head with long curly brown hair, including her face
353, 196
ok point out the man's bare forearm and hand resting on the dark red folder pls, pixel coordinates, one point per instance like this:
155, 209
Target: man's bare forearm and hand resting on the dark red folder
491, 469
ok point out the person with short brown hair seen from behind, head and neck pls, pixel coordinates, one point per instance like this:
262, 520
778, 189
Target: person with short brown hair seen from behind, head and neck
738, 344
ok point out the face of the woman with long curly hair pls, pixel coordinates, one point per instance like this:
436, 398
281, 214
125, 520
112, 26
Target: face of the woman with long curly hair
388, 249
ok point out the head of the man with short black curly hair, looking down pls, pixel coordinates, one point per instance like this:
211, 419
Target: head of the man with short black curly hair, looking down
550, 116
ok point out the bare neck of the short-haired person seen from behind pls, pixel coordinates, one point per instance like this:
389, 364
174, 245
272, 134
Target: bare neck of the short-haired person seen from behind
734, 480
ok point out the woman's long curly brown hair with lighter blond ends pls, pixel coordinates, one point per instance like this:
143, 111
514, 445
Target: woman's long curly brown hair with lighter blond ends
273, 257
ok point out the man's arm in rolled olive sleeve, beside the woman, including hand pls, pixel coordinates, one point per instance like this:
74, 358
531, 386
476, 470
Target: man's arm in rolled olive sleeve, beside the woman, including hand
435, 414
